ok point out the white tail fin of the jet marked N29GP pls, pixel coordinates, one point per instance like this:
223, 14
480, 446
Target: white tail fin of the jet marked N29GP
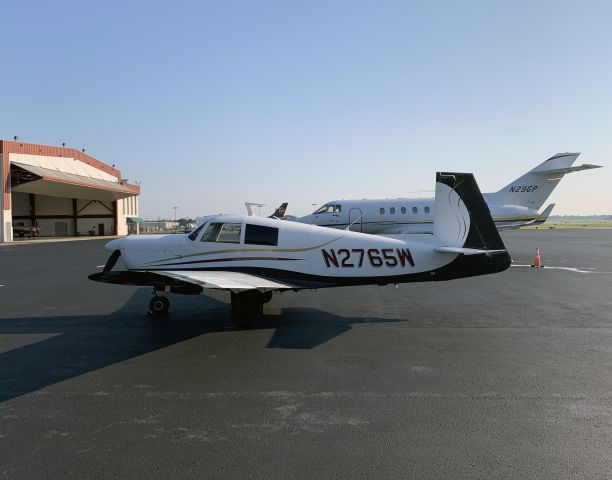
533, 188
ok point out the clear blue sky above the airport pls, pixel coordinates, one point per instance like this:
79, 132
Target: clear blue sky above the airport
210, 104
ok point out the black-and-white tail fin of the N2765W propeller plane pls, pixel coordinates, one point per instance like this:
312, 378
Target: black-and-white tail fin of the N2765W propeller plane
463, 225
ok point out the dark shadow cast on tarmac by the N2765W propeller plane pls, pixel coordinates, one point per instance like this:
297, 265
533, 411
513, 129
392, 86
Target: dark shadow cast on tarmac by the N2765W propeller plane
82, 344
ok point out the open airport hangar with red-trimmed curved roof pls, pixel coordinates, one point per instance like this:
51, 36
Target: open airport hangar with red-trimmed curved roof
64, 192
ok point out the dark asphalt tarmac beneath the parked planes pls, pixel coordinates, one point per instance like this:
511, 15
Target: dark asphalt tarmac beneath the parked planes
503, 376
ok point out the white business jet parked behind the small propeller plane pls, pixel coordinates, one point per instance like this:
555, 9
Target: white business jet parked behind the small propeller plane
515, 205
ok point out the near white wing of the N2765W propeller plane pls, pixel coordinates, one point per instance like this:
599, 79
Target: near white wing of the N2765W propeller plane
234, 281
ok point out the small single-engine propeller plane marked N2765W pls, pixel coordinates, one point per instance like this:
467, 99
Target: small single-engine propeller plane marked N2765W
253, 256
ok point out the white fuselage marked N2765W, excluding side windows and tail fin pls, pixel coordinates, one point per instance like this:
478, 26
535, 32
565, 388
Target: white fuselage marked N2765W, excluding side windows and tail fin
312, 252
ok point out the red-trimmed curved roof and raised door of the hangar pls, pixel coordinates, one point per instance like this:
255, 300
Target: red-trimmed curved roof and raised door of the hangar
60, 172
